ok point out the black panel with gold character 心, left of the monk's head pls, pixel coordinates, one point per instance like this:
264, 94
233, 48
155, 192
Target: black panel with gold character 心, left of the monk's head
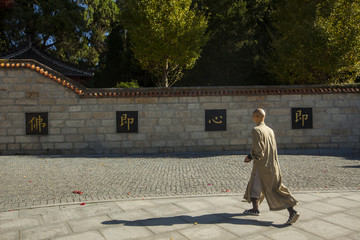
215, 120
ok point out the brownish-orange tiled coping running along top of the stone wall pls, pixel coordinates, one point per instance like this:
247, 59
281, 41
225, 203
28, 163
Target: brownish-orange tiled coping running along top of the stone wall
171, 92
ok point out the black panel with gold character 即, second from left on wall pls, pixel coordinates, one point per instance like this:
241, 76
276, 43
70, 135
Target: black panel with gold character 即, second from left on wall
127, 122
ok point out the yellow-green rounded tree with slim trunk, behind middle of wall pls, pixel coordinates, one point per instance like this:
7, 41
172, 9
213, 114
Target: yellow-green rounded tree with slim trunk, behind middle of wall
166, 36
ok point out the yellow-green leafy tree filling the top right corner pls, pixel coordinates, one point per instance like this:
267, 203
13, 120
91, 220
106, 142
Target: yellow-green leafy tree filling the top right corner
315, 42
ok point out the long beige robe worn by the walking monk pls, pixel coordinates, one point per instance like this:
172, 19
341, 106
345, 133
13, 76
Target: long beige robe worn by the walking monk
265, 162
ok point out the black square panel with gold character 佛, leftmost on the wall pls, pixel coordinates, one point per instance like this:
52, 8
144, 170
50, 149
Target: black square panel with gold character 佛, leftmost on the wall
37, 123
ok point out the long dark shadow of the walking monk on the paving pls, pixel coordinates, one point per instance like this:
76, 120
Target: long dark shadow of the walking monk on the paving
236, 219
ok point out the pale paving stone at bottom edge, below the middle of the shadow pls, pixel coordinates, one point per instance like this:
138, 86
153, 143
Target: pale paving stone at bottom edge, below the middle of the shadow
207, 232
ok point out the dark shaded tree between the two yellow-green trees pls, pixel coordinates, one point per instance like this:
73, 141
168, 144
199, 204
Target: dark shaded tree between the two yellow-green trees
238, 37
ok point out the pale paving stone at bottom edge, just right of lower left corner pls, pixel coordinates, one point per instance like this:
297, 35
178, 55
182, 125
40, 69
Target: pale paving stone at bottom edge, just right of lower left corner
45, 232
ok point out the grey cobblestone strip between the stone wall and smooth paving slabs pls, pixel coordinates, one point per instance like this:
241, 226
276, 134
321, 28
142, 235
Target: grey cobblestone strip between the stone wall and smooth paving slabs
28, 181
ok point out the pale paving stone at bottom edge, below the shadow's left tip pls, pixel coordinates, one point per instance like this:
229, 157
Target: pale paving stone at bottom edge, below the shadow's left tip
126, 232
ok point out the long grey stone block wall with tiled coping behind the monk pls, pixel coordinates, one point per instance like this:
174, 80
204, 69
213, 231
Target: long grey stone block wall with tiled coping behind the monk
83, 121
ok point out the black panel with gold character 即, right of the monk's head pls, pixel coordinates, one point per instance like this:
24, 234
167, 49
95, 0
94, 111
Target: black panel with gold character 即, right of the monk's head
302, 118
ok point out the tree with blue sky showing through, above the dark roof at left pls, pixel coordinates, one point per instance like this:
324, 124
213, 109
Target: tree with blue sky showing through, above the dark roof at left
73, 31
